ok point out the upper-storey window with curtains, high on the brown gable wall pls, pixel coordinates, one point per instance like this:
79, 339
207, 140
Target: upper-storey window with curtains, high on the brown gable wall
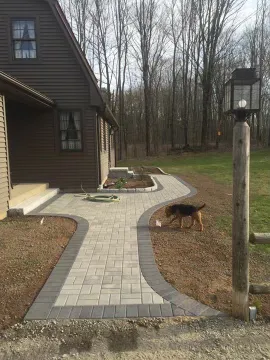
24, 39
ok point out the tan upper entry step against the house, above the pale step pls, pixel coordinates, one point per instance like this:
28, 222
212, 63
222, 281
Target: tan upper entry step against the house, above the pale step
22, 192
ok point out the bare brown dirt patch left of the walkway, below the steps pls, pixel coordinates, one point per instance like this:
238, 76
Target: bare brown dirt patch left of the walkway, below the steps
28, 253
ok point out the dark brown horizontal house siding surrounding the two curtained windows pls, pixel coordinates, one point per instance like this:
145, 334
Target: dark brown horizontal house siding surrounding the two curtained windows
58, 75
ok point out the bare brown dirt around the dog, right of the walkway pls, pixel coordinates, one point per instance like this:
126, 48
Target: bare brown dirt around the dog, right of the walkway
199, 263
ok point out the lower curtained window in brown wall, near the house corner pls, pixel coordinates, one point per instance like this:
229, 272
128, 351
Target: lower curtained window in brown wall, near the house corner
70, 130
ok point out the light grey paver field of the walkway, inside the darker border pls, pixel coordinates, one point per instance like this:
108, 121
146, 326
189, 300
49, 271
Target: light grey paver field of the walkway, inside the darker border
106, 270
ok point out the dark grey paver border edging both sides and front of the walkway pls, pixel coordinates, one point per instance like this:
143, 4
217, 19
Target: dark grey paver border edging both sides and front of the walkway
180, 304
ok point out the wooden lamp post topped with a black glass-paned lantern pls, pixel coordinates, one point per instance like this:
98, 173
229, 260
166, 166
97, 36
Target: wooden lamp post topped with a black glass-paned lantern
242, 93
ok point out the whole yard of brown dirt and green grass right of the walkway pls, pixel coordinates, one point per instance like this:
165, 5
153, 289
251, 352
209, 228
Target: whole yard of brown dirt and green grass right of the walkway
199, 264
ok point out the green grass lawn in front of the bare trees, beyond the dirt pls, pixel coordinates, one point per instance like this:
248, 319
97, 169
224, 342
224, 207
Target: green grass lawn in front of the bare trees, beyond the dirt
218, 166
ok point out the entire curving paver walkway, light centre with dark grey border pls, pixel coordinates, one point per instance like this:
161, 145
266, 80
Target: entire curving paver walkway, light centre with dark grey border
105, 278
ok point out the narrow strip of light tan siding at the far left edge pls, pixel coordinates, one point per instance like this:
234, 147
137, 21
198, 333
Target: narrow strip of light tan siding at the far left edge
4, 180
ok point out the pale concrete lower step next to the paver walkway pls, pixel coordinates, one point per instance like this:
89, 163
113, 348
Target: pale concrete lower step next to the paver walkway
32, 203
